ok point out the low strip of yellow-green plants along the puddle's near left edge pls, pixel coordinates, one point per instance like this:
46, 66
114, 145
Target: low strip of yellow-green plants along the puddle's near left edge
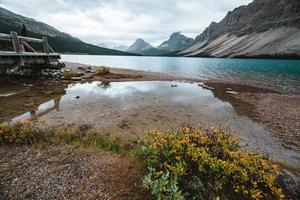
27, 133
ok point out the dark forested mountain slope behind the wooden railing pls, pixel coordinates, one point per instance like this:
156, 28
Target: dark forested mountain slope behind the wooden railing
59, 41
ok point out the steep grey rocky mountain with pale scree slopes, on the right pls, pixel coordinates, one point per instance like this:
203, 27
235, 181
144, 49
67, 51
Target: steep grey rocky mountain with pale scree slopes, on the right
263, 28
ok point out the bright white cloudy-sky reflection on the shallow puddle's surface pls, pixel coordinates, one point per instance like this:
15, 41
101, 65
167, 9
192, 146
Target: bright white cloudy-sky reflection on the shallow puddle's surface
126, 94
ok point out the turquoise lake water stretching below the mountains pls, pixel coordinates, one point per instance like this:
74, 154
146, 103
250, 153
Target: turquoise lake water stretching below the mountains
283, 75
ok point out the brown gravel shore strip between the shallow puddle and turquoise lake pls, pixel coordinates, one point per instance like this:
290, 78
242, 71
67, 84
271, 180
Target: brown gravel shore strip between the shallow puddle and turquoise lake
275, 110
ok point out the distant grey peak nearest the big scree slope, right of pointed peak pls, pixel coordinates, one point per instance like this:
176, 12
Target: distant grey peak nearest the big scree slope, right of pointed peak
176, 42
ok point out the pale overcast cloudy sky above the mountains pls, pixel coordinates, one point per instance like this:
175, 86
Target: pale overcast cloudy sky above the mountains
122, 21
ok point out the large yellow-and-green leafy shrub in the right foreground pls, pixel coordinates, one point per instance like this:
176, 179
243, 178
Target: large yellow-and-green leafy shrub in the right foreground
195, 164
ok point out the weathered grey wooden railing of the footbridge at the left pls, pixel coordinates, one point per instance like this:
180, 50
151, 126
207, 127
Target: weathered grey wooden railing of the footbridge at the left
23, 51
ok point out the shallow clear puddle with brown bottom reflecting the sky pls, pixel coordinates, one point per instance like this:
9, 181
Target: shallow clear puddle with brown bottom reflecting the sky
131, 108
